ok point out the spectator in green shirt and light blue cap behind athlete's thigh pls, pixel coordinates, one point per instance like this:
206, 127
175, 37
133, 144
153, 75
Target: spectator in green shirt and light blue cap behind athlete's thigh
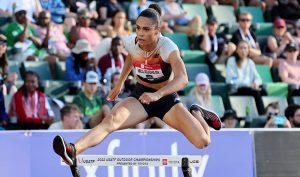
90, 105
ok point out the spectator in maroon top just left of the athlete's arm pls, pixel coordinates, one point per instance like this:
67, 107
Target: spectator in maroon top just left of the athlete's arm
114, 60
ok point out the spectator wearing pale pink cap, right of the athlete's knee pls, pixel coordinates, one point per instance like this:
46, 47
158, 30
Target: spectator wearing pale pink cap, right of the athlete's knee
201, 93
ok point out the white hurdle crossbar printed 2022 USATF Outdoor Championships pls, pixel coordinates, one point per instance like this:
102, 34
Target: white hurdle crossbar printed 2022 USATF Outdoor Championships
185, 162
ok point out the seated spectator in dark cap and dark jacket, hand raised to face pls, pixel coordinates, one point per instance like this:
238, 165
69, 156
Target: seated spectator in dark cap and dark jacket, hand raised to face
217, 47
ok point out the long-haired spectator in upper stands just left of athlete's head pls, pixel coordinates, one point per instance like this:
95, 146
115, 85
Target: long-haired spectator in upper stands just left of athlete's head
117, 27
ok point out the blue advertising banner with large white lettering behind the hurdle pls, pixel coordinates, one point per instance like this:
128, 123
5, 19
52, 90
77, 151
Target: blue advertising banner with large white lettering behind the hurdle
30, 154
